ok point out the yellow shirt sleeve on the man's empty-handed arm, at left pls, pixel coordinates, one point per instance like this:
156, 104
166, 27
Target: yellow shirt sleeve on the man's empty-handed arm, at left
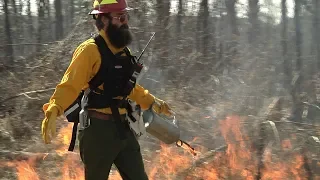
81, 69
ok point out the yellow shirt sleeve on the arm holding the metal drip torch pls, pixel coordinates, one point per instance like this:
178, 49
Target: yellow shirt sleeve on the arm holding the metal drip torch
142, 97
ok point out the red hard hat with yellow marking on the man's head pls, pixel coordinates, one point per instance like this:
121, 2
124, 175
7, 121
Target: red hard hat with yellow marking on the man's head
107, 6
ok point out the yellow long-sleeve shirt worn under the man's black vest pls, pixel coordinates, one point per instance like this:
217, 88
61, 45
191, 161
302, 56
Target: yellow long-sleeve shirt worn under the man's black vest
85, 64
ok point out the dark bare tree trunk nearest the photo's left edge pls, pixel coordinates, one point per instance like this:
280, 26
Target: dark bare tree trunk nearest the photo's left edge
8, 49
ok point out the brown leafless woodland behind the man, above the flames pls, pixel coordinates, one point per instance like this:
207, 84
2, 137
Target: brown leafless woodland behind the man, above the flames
209, 59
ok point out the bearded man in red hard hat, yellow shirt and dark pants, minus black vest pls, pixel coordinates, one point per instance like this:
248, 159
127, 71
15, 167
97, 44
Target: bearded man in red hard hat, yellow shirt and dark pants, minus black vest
100, 143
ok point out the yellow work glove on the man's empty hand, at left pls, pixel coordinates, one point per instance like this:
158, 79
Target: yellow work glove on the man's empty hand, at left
48, 127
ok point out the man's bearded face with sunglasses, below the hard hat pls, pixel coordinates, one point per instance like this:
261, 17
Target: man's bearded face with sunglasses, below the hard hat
118, 30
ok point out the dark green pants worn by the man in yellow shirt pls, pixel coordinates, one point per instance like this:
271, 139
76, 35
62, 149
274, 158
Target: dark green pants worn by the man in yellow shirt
100, 147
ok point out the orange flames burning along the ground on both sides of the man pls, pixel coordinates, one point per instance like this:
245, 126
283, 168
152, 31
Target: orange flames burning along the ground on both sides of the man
238, 161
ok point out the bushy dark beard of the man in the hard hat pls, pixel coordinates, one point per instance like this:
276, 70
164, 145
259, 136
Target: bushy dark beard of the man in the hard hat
119, 36
